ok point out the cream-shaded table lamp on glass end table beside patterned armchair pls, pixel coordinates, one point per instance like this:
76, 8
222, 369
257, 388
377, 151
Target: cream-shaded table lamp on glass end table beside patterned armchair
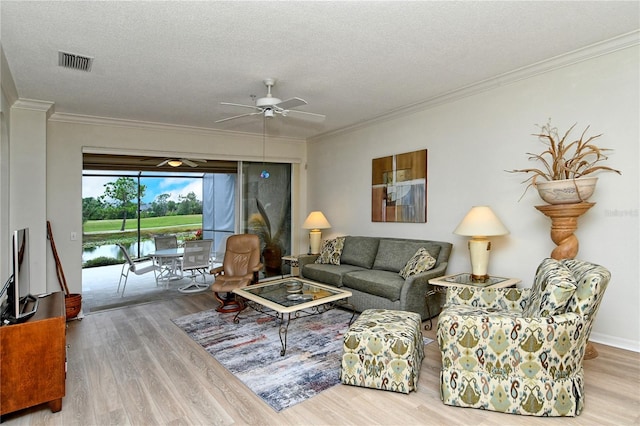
480, 223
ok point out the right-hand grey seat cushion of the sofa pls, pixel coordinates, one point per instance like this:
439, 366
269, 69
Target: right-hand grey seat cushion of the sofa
385, 284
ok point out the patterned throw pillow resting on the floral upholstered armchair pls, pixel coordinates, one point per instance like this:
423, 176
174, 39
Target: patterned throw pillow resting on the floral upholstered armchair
551, 291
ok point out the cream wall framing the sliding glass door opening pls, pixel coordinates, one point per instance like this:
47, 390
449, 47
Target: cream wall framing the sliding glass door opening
68, 136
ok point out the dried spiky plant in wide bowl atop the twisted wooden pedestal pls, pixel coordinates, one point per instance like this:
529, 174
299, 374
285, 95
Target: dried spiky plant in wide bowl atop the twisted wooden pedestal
565, 163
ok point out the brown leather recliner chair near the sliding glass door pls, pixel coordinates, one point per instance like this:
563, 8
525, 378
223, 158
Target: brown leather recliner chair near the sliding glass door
240, 268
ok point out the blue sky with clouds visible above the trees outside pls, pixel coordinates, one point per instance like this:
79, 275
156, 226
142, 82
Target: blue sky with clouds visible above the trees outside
93, 186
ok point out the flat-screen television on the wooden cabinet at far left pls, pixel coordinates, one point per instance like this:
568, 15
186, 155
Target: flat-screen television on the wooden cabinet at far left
20, 304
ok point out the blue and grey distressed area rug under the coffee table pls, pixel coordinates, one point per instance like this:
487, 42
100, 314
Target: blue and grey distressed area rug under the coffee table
251, 351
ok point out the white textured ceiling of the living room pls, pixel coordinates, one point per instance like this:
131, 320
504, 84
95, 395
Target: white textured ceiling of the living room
174, 62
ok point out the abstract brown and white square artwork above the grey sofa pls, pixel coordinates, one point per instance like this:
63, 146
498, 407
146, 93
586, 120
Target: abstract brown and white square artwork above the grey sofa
399, 188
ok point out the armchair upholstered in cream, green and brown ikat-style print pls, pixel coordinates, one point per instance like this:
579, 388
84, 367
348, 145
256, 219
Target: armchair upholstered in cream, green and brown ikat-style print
520, 351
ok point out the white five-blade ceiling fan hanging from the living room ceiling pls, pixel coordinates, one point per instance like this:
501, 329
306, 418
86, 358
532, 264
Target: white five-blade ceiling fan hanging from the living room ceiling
270, 105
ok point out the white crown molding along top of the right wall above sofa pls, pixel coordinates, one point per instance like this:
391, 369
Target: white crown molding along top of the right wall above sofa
574, 57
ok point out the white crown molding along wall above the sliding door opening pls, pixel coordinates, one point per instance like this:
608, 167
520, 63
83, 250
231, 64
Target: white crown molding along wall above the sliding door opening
148, 125
